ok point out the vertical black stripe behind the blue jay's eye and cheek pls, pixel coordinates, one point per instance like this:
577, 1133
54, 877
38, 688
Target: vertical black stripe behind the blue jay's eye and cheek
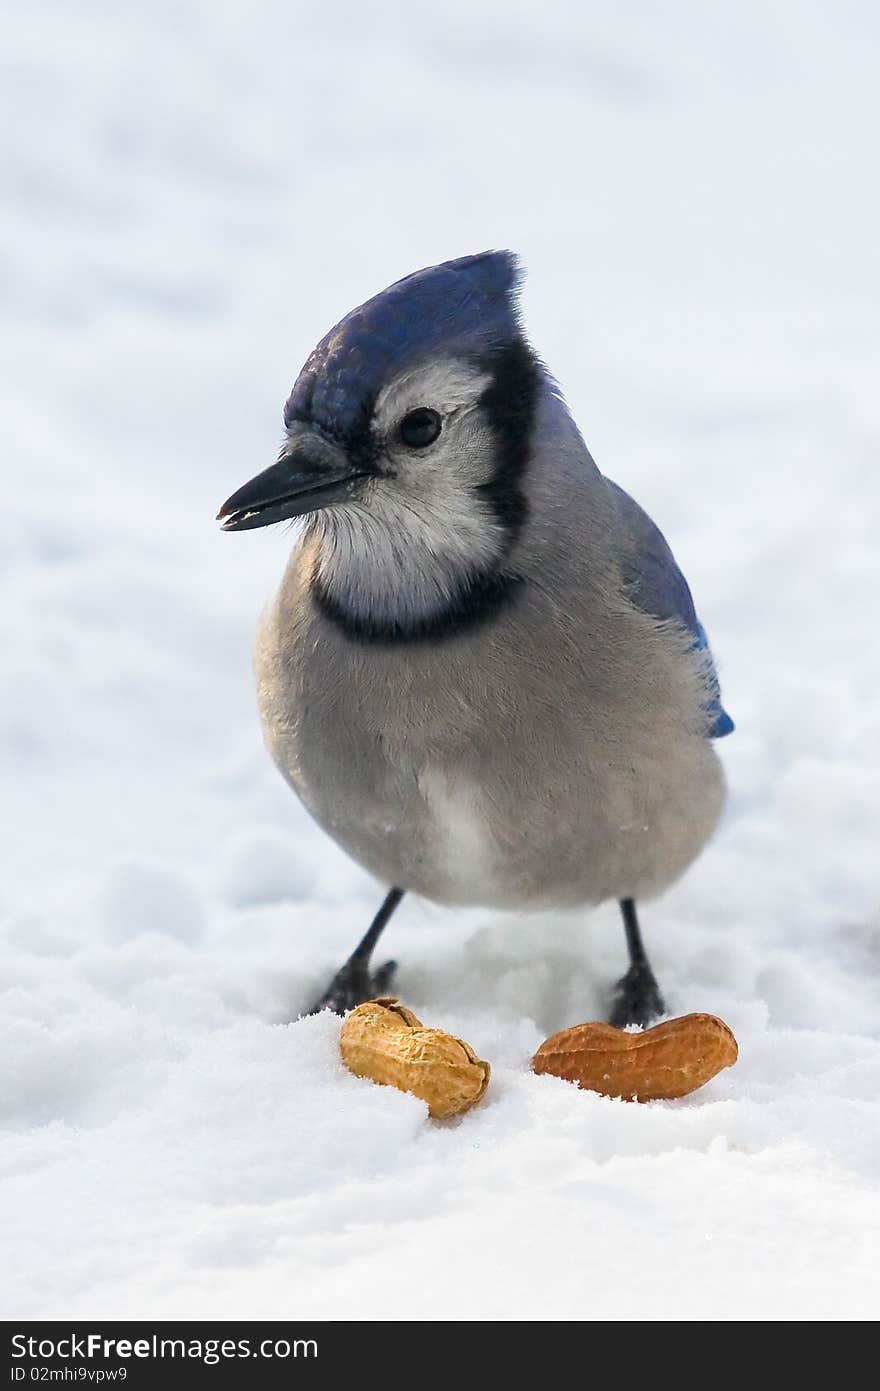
511, 401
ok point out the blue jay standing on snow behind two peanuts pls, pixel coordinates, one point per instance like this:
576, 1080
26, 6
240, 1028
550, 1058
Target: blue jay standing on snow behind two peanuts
483, 674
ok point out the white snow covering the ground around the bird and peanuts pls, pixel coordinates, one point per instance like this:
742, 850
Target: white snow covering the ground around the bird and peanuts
193, 194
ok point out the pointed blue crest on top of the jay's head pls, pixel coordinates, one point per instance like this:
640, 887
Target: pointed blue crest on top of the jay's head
461, 307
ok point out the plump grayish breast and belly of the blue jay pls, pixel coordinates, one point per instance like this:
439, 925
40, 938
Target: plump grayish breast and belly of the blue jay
555, 757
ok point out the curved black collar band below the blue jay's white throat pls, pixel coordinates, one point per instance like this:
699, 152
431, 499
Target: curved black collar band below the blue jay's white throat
479, 602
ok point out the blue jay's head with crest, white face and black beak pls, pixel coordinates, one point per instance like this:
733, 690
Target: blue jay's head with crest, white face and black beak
408, 435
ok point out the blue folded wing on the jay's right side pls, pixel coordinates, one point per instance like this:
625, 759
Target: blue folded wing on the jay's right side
657, 586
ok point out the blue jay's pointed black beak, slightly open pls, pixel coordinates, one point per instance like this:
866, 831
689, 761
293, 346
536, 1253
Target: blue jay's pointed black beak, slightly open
311, 475
